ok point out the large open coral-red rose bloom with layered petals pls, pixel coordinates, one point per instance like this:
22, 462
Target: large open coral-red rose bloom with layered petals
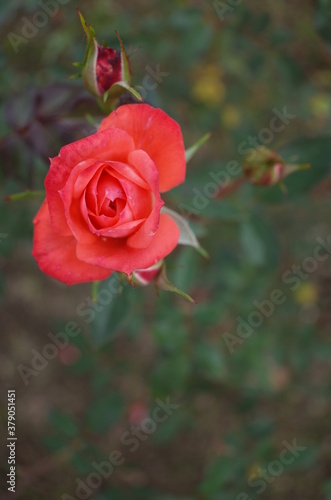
102, 207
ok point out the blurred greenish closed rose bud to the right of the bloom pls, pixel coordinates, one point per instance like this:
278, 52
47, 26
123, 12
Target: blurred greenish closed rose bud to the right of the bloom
267, 167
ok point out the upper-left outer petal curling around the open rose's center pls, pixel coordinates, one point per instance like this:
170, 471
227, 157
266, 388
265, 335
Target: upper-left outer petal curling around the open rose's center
112, 144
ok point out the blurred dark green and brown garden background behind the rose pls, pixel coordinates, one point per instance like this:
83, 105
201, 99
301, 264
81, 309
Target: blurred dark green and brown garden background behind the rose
223, 74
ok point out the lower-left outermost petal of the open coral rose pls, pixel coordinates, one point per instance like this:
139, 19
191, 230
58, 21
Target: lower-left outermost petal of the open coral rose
56, 255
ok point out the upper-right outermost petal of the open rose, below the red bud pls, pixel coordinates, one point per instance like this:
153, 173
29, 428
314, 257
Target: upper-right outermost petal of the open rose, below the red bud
156, 133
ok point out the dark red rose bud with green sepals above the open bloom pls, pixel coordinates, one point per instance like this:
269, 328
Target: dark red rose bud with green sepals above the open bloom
106, 71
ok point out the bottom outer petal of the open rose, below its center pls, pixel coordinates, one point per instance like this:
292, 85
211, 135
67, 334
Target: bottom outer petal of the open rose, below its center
116, 255
